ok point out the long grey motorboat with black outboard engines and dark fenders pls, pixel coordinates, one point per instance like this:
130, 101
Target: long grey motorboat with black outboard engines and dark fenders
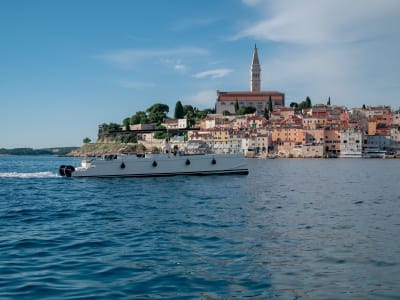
161, 164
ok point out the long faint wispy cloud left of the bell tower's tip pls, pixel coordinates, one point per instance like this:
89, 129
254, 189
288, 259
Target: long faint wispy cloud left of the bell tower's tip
129, 57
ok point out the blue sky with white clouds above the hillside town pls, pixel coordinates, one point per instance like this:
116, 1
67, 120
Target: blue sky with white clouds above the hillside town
67, 66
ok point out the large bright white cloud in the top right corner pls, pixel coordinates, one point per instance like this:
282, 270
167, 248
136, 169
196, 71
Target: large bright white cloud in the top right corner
324, 22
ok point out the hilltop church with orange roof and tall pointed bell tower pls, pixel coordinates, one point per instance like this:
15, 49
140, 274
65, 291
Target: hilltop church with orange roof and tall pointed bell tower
230, 101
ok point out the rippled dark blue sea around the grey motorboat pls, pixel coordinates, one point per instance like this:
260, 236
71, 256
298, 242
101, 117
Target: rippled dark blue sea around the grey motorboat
291, 229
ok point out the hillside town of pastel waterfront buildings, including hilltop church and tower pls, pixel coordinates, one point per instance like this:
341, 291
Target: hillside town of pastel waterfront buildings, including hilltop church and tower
260, 124
